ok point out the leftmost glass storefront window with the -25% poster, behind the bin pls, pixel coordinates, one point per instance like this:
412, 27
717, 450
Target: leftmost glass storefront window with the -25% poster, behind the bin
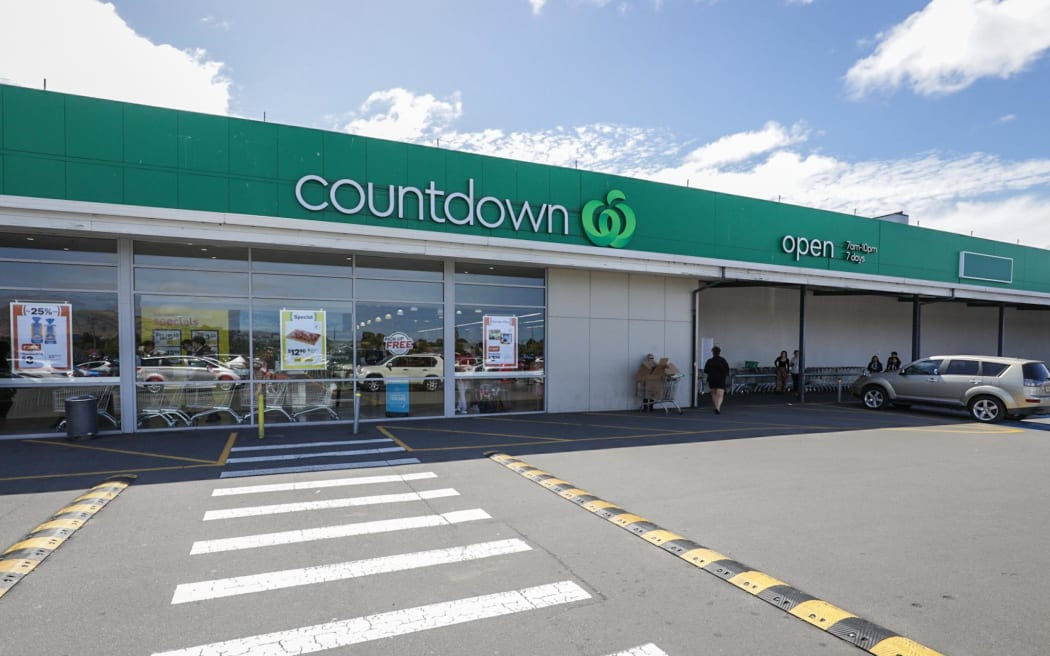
75, 351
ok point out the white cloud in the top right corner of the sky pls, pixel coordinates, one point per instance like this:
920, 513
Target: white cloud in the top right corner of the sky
951, 45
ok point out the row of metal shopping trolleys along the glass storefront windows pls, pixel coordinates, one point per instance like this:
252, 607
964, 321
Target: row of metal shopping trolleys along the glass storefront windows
180, 405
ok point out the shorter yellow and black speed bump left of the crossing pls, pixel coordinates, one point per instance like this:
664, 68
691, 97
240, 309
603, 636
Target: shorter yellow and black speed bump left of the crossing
23, 558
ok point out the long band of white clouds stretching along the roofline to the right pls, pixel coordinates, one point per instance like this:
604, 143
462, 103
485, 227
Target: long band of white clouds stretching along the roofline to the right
980, 194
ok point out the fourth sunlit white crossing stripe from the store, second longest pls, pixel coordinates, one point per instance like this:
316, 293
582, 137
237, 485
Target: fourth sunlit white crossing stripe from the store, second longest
341, 572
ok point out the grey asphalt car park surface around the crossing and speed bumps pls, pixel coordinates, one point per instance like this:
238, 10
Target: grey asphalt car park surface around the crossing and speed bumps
922, 522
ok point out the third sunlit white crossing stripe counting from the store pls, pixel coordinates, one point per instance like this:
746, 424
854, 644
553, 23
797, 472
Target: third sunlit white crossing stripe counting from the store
329, 533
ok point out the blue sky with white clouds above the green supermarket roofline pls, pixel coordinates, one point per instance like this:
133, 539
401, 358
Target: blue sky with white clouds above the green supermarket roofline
937, 109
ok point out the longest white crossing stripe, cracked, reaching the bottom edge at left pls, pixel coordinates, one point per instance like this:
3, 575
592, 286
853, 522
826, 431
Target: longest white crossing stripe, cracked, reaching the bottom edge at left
358, 630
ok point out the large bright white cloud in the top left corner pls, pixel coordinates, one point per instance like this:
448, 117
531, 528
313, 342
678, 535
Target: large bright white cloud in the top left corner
89, 50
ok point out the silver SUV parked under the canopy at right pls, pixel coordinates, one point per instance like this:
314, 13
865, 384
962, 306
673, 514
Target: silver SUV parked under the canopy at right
991, 389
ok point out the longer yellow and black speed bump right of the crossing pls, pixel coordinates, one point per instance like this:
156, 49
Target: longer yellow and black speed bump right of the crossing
842, 624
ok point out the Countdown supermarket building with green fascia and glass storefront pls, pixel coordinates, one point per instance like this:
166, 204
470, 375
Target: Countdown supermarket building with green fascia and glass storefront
304, 260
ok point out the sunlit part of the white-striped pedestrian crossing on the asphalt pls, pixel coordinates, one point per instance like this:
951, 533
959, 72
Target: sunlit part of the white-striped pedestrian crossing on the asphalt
240, 523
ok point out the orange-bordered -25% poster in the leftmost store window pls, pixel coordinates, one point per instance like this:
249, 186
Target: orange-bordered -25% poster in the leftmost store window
41, 337
